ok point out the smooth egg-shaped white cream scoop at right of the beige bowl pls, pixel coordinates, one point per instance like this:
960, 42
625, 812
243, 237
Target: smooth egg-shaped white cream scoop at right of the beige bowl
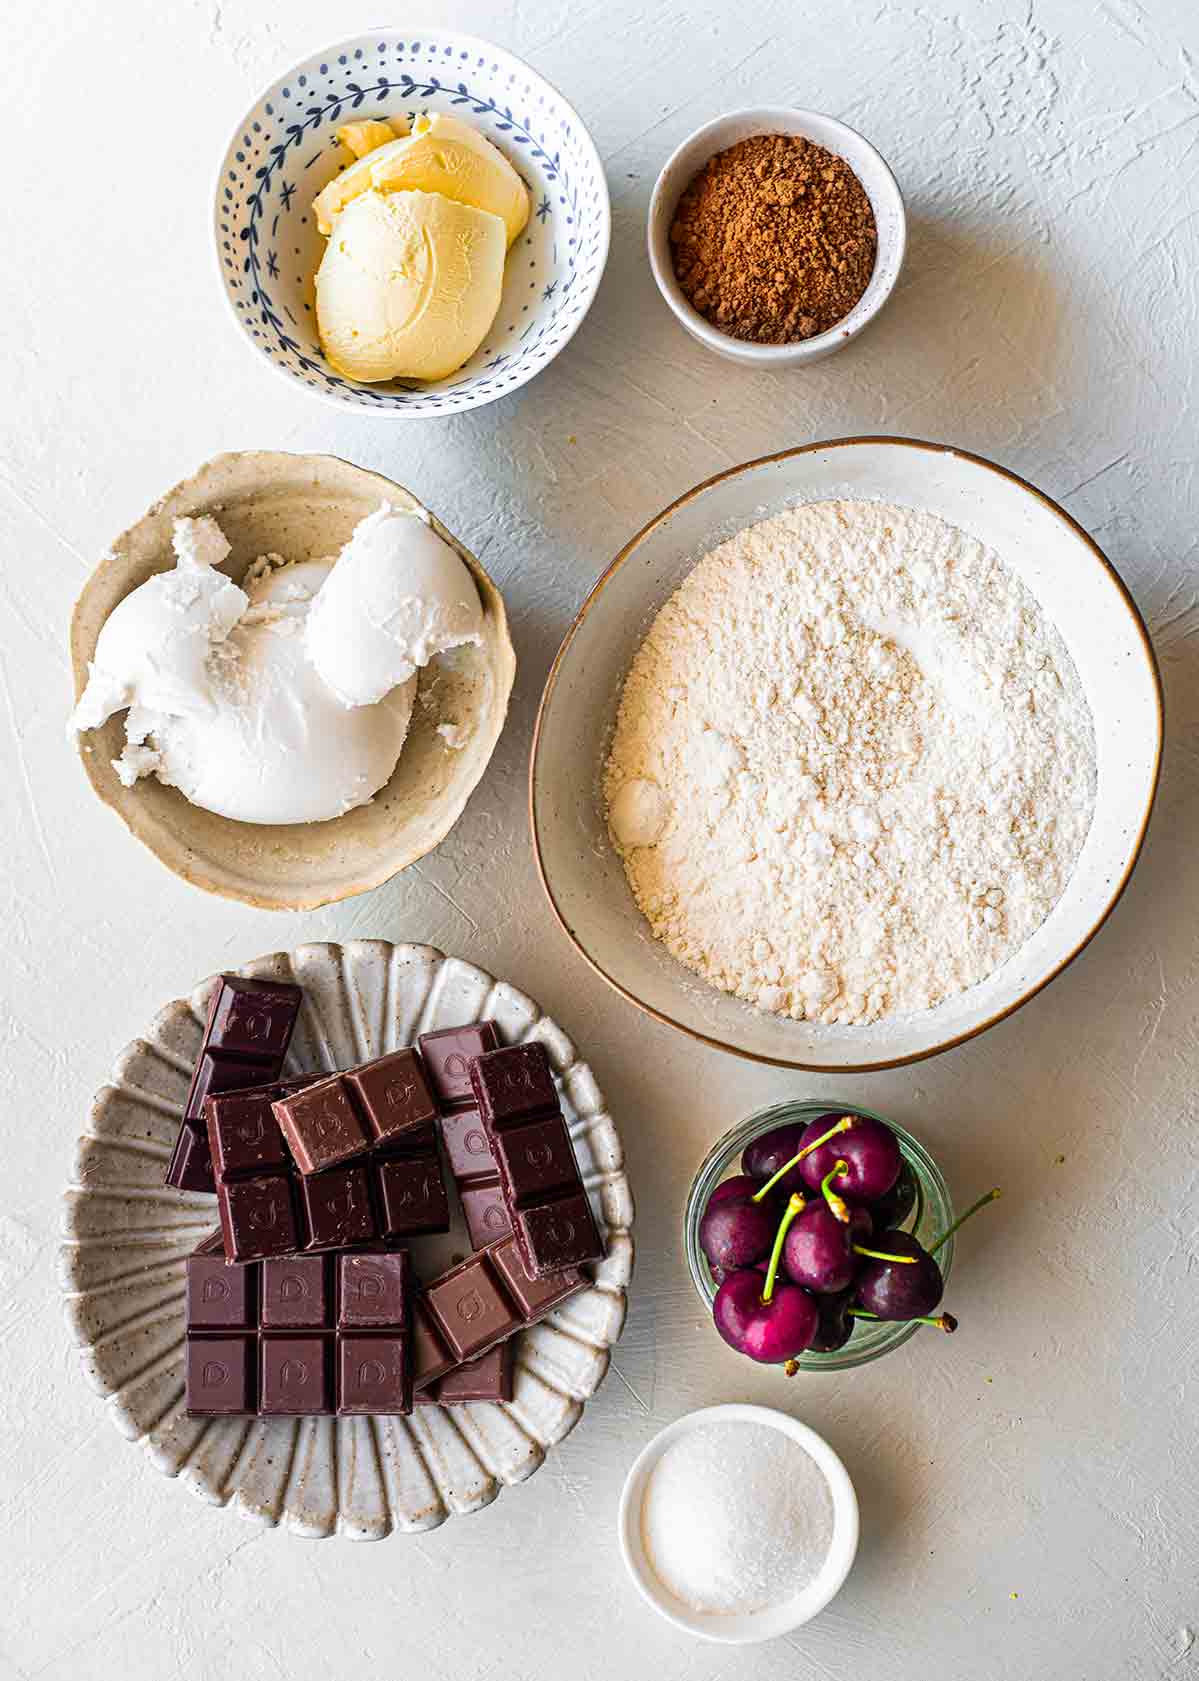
398, 596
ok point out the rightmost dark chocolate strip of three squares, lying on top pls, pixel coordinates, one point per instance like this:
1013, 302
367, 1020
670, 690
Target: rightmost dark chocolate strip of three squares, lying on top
539, 1176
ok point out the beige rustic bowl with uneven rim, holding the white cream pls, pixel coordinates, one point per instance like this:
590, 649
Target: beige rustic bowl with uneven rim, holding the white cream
302, 507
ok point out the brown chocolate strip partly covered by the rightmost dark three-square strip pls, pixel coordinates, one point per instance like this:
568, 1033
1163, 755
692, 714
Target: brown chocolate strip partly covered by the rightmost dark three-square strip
448, 1058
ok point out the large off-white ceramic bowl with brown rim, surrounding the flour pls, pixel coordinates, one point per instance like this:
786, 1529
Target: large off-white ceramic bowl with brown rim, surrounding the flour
1064, 569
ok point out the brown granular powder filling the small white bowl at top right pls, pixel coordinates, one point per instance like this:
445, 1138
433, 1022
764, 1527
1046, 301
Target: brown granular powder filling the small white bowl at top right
774, 241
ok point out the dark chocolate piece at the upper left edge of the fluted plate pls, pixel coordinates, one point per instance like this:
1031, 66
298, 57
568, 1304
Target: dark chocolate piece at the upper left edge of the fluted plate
245, 1043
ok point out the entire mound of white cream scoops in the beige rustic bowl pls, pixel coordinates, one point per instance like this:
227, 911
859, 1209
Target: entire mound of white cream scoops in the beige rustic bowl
288, 700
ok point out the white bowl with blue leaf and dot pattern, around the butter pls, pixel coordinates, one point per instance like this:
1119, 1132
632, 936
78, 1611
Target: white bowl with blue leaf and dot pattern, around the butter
285, 152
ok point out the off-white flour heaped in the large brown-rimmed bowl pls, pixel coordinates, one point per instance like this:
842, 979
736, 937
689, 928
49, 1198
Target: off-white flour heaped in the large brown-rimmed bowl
853, 766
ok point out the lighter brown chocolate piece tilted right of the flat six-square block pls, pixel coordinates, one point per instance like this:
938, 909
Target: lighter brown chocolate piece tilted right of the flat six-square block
478, 1305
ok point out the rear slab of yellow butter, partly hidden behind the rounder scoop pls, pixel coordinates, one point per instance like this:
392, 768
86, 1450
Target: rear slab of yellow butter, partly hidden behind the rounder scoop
441, 155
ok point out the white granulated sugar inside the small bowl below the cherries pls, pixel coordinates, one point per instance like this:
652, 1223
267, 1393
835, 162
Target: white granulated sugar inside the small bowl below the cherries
736, 1517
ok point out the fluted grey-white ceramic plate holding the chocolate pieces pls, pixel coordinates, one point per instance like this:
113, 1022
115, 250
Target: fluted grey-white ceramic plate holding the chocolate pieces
129, 1240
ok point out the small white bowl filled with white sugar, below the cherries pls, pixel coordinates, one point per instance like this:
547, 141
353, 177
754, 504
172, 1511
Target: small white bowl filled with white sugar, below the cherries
739, 1524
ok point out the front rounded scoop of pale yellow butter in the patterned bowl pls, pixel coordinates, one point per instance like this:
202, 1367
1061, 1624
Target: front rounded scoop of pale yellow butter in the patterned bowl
409, 285
